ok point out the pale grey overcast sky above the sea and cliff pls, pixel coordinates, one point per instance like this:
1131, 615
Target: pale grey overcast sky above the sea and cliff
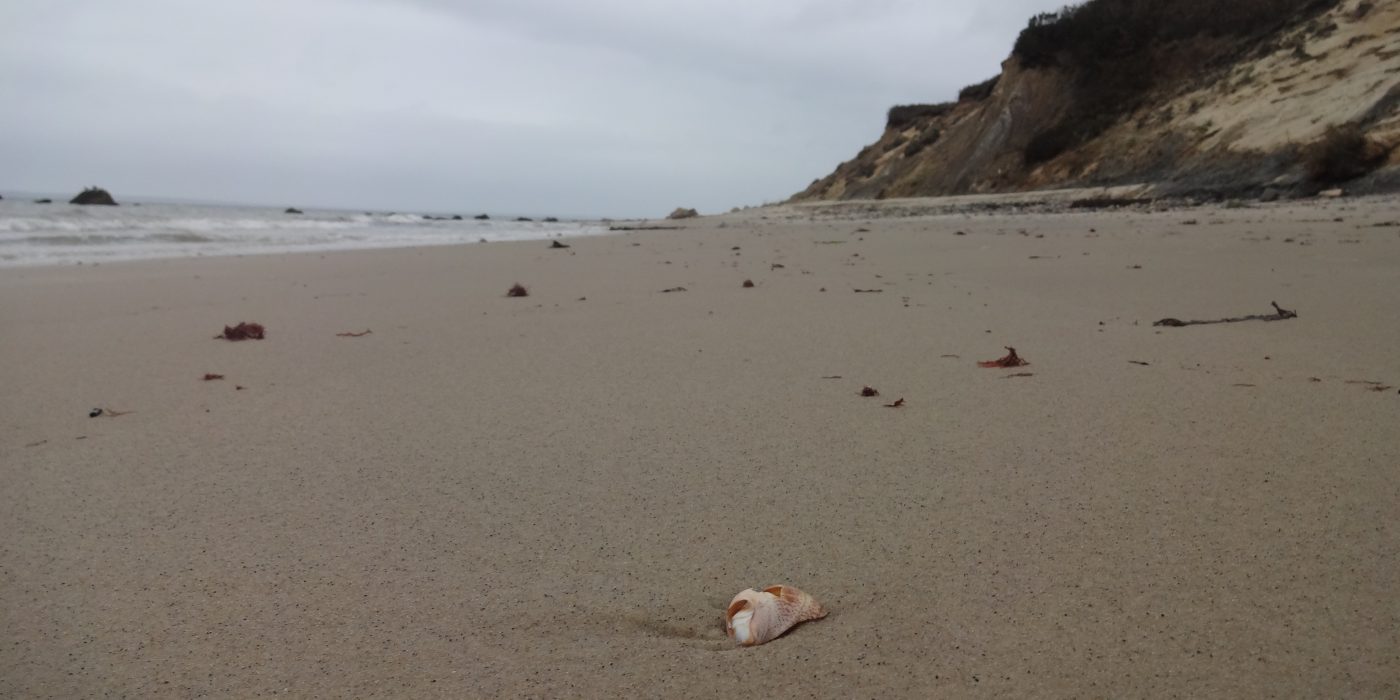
534, 107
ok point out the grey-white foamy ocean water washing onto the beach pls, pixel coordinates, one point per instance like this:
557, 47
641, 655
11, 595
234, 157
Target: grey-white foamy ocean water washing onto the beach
69, 234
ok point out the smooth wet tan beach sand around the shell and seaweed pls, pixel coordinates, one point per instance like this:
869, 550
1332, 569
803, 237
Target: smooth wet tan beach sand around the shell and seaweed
558, 495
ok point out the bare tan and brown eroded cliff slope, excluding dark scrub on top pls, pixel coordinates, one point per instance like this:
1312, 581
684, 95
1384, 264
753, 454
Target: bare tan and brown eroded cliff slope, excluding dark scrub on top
1251, 127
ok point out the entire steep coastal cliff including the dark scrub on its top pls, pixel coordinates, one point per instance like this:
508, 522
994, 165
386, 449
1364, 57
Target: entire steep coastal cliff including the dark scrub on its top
1198, 99
